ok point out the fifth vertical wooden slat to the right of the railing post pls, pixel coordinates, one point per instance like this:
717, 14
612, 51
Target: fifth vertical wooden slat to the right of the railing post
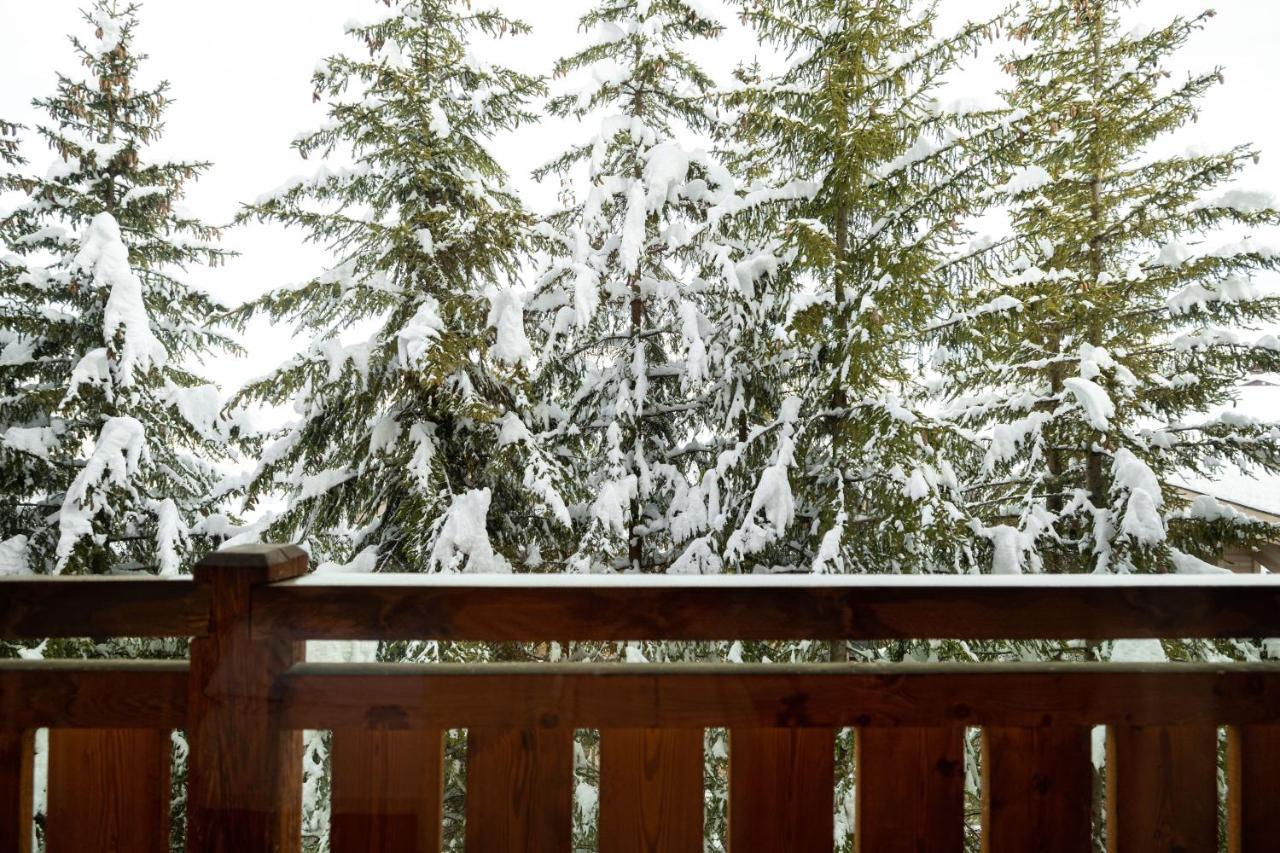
911, 791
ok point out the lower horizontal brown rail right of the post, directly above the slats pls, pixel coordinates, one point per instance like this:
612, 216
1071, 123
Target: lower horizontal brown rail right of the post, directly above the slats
397, 696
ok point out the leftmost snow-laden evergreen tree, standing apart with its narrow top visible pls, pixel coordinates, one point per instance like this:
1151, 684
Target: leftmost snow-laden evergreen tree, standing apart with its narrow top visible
108, 440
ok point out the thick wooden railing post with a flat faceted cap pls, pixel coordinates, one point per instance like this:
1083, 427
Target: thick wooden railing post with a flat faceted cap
245, 772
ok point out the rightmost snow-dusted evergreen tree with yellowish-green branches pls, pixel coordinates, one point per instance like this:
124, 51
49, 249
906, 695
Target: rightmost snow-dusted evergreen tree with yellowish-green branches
1100, 366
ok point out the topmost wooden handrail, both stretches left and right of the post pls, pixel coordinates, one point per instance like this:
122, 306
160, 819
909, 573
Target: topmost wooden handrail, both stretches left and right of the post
540, 608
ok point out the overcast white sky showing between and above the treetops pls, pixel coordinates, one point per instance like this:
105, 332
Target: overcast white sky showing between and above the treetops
241, 70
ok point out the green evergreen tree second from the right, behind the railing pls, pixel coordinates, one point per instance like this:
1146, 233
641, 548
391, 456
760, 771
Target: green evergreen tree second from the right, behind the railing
877, 248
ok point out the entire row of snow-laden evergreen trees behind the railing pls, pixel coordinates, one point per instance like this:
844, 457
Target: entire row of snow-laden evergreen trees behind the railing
761, 334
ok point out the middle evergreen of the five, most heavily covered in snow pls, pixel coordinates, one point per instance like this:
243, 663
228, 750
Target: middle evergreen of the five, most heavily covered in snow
623, 308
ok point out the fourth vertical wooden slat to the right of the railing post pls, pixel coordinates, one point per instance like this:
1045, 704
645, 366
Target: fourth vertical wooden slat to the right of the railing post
781, 791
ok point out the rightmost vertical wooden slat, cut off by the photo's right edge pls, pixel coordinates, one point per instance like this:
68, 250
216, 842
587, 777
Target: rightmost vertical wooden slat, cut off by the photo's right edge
1254, 788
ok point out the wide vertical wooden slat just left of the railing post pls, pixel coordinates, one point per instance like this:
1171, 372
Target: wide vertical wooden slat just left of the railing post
108, 791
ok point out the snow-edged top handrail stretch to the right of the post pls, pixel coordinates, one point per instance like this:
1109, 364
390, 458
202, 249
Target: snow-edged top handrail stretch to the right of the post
719, 612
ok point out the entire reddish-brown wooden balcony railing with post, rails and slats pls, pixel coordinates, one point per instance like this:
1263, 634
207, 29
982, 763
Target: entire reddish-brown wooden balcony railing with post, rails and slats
248, 692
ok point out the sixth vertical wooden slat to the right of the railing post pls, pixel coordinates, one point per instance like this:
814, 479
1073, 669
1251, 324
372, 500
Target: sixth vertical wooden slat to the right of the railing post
1037, 791
